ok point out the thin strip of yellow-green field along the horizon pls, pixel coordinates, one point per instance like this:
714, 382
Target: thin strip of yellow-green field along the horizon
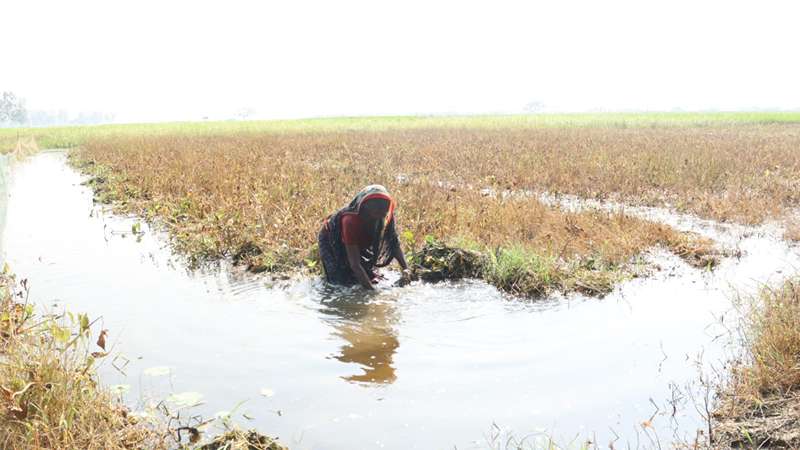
71, 136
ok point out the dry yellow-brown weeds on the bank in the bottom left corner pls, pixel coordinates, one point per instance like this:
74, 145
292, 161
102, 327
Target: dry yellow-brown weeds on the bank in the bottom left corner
49, 397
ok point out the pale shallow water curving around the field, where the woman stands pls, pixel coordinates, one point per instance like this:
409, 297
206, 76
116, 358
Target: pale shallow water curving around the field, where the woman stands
416, 367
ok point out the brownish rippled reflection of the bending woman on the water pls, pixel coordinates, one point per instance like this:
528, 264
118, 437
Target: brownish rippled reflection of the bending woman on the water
368, 328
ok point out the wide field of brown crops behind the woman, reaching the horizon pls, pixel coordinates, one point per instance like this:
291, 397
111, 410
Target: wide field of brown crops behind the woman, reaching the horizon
258, 197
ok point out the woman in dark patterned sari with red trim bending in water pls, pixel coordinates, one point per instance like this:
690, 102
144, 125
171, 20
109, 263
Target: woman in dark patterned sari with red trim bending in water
359, 238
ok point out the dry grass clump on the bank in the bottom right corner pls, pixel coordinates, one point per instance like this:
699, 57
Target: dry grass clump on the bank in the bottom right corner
760, 407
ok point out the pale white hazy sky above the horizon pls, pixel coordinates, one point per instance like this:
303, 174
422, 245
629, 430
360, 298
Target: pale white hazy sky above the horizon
158, 60
